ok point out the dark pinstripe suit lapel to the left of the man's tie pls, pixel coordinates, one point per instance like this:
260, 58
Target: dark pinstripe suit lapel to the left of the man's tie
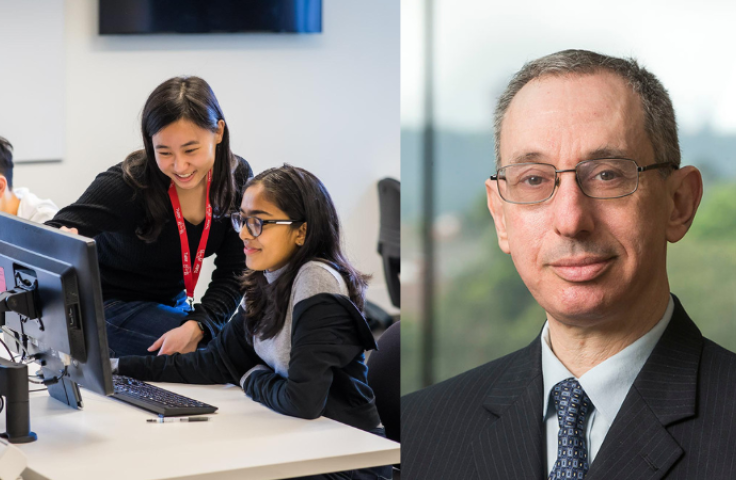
511, 446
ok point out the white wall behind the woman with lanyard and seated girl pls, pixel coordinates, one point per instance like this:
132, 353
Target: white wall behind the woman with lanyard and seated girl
326, 102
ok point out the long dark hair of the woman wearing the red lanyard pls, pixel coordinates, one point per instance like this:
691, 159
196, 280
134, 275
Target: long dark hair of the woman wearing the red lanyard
189, 98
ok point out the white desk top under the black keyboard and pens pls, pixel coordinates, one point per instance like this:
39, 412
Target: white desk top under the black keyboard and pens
244, 440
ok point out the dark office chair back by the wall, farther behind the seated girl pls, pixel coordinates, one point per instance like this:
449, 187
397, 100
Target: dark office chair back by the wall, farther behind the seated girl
389, 236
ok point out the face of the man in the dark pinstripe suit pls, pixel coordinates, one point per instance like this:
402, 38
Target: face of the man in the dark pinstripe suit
583, 259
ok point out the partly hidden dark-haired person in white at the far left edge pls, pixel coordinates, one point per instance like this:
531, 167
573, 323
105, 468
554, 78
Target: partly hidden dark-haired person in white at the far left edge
20, 201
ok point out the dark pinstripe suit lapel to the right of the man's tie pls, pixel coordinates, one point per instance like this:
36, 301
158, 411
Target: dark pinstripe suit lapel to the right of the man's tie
664, 392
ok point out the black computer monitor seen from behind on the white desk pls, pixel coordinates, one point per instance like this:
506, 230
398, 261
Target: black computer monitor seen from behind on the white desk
53, 312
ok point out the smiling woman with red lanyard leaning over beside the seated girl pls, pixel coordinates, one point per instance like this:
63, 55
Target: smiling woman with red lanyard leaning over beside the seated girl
156, 215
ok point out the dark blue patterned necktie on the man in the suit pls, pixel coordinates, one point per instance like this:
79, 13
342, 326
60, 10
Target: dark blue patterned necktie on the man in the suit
573, 410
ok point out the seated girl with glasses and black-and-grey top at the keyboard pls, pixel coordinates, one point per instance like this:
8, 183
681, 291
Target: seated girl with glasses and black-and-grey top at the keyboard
298, 344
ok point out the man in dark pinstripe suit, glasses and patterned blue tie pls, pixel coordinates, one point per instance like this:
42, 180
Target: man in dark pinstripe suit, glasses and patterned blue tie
619, 384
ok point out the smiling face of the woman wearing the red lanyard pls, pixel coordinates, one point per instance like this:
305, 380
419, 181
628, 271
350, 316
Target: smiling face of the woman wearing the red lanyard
185, 152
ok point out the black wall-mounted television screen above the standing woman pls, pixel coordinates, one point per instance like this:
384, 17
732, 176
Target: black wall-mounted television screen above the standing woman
119, 17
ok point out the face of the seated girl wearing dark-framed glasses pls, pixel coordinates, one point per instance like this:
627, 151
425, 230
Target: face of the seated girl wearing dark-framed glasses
276, 244
